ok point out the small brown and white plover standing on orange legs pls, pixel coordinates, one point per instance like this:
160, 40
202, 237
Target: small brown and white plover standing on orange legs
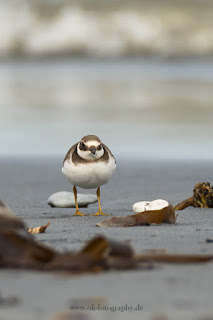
88, 164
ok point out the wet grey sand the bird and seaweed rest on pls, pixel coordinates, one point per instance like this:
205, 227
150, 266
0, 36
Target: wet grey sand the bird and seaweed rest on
175, 290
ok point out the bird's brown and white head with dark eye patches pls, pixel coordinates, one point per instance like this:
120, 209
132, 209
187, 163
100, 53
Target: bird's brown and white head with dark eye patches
90, 148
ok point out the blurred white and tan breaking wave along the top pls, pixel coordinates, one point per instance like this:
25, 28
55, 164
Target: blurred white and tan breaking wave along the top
39, 29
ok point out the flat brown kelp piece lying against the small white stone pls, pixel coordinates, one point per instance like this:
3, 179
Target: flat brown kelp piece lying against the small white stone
165, 215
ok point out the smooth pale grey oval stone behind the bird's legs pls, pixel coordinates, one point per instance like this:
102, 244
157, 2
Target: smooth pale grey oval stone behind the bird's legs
65, 199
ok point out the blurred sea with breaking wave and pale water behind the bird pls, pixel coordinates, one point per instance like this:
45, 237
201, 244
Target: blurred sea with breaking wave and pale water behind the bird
139, 74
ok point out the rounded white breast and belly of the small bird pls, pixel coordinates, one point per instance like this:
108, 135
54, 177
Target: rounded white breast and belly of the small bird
89, 175
